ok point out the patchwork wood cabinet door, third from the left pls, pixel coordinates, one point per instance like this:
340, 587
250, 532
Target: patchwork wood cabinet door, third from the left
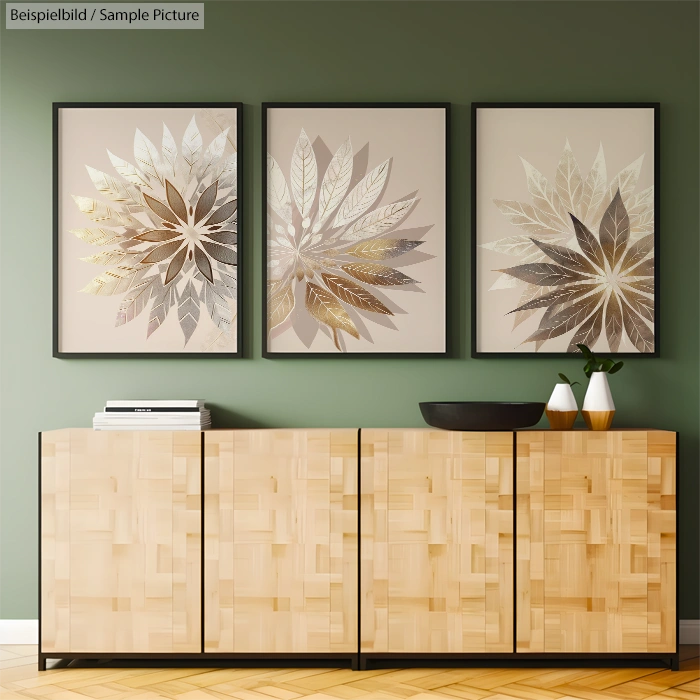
436, 541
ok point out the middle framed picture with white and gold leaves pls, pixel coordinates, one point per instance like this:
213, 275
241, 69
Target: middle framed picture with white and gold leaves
355, 216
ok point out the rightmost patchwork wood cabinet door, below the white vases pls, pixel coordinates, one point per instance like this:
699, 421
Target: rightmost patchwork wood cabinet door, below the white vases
596, 541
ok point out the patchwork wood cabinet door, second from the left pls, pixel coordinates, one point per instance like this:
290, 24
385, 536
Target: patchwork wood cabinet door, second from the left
281, 541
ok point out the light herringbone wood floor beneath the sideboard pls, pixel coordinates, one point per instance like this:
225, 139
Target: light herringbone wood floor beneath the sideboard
19, 678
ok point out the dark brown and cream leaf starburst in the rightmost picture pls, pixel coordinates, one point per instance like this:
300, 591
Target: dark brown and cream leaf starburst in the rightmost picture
595, 244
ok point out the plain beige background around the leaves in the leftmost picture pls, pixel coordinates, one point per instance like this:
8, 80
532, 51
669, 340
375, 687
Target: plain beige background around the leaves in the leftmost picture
86, 322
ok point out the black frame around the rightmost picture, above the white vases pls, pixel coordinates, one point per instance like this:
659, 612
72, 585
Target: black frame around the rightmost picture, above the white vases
475, 107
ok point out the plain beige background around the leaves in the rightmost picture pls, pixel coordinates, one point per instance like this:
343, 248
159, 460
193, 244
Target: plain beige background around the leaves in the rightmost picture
539, 135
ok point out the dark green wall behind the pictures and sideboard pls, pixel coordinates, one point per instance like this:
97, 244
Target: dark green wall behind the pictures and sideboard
376, 50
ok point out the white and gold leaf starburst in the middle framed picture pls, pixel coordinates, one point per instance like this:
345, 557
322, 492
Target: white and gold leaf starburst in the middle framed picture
327, 240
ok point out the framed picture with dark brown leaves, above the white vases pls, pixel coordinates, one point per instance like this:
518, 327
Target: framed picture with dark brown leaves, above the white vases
565, 229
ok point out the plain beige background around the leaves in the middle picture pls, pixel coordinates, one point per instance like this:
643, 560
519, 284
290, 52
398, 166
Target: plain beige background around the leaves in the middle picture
415, 139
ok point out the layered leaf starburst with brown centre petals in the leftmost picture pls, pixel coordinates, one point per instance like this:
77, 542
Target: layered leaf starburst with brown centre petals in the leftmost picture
171, 253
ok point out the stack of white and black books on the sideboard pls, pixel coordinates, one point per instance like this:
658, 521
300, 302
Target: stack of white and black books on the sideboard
153, 415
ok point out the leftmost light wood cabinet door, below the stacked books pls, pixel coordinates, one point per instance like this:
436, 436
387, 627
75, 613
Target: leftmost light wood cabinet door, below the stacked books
120, 541
